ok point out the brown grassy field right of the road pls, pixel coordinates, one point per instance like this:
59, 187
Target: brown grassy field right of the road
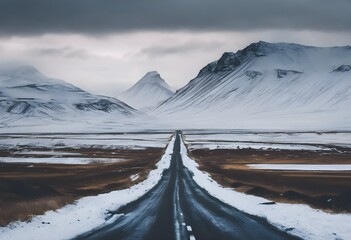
328, 190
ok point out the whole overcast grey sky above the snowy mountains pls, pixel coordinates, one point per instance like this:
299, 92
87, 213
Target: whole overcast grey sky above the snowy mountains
105, 46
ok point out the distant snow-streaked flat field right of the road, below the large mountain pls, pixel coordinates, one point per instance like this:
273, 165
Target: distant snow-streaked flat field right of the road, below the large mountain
222, 139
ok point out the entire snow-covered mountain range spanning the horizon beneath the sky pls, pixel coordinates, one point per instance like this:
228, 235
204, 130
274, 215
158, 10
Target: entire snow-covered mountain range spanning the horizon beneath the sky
264, 86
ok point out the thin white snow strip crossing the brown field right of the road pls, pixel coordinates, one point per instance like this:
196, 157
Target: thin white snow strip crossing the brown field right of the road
303, 167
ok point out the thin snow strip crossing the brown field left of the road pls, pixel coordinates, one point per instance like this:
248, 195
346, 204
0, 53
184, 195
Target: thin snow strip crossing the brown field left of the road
55, 160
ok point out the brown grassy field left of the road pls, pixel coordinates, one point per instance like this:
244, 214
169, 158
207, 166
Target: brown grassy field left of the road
28, 189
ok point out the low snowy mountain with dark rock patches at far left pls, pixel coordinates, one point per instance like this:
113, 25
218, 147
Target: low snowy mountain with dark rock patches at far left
25, 92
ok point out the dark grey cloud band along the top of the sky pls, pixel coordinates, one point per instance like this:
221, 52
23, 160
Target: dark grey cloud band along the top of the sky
19, 17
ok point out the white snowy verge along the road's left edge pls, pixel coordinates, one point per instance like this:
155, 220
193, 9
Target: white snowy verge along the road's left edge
88, 212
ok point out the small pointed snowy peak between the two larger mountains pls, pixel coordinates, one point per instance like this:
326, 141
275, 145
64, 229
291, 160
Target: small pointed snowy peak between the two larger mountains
148, 92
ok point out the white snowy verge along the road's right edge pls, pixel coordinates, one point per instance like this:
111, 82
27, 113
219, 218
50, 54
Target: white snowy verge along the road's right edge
298, 219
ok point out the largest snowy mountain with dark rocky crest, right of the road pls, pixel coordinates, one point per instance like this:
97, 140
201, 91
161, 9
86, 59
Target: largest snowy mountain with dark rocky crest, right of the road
268, 85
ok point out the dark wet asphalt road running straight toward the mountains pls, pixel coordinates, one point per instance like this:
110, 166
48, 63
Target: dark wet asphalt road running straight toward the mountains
177, 208
